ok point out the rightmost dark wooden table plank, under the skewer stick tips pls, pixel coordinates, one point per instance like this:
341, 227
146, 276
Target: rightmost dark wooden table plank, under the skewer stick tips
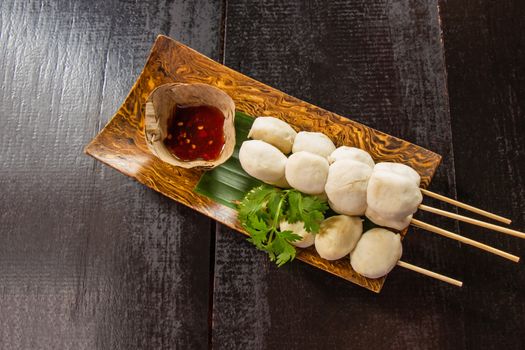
485, 49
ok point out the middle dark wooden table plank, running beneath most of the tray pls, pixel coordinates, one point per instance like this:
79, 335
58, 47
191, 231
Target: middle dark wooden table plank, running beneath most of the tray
380, 63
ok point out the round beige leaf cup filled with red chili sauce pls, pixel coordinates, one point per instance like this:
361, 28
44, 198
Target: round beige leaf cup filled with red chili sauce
190, 125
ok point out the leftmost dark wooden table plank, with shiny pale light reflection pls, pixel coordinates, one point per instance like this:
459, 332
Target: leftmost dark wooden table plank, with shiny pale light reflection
88, 258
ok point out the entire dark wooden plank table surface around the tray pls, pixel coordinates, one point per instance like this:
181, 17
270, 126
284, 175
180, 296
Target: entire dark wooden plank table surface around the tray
92, 260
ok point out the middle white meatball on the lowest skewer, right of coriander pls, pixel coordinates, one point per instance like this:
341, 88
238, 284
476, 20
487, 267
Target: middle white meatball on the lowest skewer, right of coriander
338, 236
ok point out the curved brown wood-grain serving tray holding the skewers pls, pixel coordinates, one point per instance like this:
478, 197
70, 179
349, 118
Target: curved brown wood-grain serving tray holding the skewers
121, 143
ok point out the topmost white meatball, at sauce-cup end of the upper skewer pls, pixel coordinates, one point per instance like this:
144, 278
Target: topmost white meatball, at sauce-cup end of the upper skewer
273, 131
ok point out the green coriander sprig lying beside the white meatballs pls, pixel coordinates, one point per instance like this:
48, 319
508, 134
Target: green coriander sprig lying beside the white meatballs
262, 210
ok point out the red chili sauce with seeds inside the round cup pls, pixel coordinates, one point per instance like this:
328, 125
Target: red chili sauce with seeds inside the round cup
196, 132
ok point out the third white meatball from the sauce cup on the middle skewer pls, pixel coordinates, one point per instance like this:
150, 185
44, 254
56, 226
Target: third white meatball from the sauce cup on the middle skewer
346, 186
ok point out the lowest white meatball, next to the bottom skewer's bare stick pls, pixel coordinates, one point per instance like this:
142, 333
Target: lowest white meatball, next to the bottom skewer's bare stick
376, 253
